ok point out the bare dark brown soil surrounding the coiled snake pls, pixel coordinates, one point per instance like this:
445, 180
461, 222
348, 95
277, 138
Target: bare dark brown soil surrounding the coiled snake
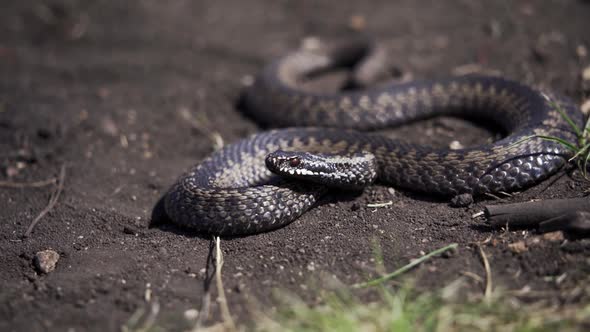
104, 87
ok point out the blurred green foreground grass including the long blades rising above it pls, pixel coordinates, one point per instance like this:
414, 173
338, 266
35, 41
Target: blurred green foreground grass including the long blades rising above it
405, 309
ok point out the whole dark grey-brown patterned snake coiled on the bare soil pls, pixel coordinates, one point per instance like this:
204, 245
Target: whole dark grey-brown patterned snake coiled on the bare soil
260, 183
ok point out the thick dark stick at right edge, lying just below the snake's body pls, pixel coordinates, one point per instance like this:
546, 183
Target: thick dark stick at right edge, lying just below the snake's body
532, 213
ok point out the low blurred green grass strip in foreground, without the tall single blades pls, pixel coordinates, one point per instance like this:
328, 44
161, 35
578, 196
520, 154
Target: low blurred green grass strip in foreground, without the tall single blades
407, 310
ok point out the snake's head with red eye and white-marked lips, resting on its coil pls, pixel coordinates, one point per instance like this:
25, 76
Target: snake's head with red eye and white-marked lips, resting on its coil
346, 172
